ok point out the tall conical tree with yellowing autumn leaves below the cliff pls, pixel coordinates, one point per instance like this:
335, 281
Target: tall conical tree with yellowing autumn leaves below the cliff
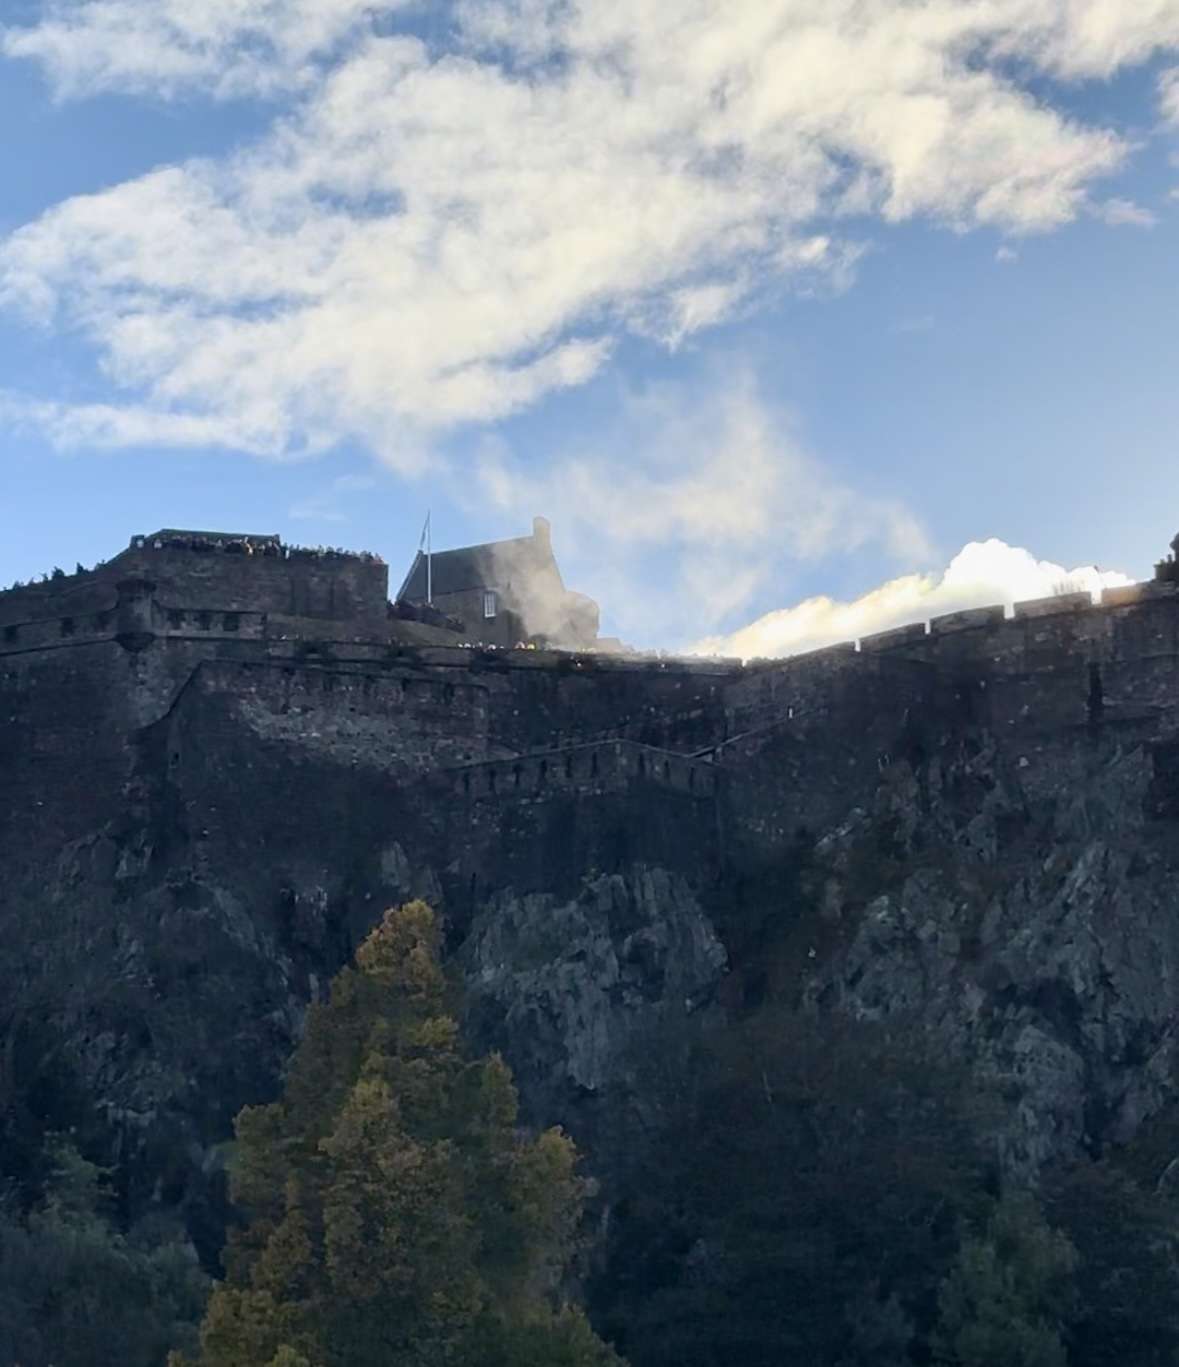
397, 1216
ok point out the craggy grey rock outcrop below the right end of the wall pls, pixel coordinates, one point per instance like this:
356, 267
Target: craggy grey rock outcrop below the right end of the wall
1050, 960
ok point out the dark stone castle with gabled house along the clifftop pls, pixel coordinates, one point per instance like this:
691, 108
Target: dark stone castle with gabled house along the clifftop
307, 650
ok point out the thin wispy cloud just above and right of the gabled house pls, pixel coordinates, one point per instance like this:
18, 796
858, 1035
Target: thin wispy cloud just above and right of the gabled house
689, 504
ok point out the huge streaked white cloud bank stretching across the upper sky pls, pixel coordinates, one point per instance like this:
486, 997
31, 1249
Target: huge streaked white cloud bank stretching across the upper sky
425, 240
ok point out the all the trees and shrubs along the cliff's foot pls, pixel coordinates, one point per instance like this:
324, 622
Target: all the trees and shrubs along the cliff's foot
804, 1190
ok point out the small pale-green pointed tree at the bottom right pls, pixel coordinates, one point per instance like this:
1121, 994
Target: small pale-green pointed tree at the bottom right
1006, 1299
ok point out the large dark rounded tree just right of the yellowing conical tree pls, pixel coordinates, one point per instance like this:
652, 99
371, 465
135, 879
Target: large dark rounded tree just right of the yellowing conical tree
798, 1200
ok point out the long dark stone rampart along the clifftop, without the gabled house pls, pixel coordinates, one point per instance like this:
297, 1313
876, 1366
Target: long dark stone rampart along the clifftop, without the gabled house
304, 642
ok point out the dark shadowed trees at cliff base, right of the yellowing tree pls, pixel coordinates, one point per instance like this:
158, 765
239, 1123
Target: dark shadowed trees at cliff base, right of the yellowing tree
836, 1204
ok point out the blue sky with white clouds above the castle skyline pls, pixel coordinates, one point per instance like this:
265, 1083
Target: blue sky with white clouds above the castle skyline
757, 301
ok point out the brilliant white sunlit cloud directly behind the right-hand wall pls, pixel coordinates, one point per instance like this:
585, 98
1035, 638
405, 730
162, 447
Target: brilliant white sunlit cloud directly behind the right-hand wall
983, 573
